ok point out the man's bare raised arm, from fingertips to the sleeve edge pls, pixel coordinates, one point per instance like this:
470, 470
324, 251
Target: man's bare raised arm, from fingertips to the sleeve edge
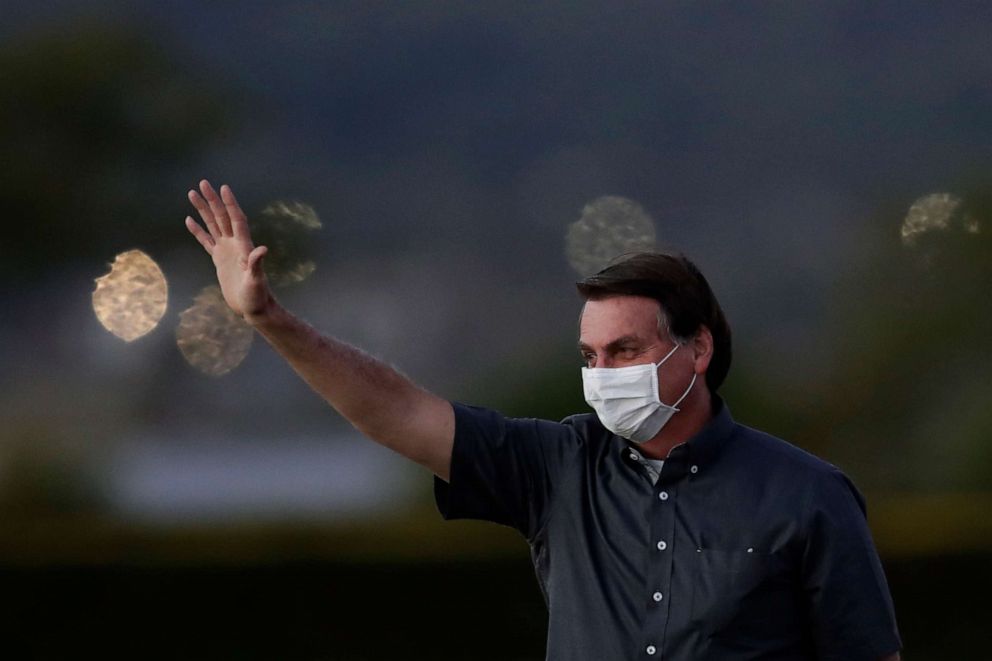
379, 401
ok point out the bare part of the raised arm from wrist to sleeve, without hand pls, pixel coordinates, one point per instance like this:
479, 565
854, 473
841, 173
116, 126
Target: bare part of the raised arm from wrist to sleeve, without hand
379, 401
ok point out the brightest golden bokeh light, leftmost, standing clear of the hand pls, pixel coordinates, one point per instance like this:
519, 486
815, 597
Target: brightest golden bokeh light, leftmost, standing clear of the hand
131, 300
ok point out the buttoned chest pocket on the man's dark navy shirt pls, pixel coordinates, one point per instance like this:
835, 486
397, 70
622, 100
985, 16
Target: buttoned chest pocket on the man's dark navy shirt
739, 592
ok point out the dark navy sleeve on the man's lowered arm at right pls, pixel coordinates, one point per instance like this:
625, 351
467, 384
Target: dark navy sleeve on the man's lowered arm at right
850, 607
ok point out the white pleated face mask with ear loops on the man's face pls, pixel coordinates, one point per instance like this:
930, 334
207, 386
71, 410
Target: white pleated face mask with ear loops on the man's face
626, 399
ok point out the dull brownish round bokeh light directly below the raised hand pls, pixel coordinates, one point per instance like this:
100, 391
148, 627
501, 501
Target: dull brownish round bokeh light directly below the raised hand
210, 336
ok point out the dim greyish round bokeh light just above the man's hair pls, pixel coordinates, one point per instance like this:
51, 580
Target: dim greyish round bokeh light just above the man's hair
609, 226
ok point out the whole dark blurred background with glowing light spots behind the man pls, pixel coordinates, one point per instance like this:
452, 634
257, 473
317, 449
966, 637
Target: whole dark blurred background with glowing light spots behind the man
433, 178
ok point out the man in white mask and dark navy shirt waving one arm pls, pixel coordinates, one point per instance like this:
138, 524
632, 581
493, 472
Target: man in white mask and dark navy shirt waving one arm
659, 527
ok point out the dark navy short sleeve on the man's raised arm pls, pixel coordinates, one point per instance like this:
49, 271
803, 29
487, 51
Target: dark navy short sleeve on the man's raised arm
505, 470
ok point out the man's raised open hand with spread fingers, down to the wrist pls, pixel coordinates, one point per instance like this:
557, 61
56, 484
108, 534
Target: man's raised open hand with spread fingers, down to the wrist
228, 241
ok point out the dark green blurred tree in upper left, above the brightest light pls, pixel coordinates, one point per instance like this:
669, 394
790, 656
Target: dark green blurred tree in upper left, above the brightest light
94, 122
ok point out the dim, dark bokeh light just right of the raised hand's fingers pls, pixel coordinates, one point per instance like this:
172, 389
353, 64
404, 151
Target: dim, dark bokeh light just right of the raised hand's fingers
285, 228
